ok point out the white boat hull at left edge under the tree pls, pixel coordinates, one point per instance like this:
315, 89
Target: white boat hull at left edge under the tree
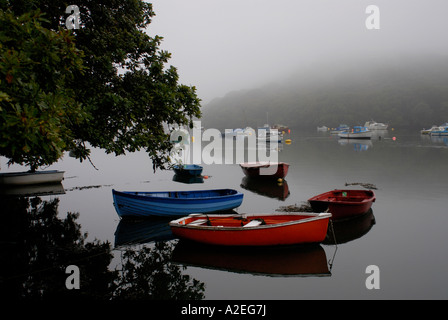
30, 178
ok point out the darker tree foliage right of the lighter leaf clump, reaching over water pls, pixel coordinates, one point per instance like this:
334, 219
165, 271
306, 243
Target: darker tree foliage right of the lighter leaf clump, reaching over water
126, 89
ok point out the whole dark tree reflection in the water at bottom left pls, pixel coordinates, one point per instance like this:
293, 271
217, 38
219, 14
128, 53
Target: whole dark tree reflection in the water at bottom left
37, 243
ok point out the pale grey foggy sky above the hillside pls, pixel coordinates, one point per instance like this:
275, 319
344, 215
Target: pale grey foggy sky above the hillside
224, 45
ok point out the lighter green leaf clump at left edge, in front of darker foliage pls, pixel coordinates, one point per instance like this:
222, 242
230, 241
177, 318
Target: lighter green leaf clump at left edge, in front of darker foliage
38, 108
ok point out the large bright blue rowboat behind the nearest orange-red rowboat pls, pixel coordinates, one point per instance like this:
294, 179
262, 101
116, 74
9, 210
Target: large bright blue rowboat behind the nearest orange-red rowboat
174, 203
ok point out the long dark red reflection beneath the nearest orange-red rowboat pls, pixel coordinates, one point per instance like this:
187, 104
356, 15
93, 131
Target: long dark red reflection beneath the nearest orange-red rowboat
296, 261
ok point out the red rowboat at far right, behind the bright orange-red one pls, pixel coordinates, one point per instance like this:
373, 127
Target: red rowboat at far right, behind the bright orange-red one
343, 203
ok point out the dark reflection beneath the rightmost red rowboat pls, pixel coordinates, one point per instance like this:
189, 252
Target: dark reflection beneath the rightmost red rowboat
350, 229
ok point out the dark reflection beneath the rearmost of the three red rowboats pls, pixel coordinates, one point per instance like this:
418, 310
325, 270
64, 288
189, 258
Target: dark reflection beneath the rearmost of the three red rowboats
266, 187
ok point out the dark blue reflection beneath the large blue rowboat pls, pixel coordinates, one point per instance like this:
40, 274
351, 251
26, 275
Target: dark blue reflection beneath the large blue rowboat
131, 232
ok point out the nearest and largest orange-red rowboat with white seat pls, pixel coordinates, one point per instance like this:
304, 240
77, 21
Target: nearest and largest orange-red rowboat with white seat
253, 230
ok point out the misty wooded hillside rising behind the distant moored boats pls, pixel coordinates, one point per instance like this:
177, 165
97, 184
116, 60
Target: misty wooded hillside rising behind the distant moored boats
409, 93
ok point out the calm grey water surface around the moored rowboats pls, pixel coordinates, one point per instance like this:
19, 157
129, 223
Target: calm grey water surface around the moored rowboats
403, 235
